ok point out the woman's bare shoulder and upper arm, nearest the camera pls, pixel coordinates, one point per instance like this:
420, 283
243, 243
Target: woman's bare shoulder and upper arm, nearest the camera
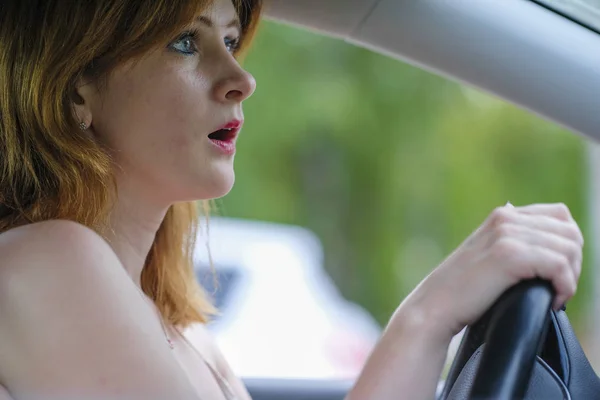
73, 326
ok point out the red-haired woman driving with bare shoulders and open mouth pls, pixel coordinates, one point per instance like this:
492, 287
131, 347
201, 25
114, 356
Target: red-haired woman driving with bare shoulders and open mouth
115, 116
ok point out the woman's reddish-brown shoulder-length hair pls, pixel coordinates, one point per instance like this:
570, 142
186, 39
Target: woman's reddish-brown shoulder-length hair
49, 168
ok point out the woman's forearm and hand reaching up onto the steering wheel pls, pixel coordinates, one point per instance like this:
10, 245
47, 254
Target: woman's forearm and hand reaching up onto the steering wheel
512, 245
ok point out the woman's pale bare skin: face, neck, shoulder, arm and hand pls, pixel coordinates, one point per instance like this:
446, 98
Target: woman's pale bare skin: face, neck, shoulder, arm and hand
72, 323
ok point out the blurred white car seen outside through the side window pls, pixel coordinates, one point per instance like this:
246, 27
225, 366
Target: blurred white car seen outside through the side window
281, 315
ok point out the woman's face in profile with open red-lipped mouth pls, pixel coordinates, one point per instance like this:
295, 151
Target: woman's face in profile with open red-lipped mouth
157, 115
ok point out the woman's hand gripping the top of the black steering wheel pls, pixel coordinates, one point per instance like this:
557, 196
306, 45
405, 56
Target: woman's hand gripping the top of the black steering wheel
513, 244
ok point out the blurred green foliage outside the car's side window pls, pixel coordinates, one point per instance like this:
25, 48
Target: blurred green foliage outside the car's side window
390, 165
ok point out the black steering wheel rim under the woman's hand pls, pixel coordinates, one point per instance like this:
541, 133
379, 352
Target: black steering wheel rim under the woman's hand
513, 331
